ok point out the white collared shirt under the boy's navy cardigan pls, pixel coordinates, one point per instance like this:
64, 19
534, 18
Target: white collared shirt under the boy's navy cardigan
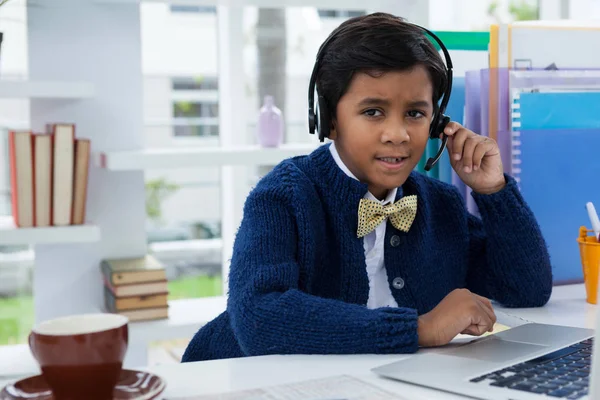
380, 294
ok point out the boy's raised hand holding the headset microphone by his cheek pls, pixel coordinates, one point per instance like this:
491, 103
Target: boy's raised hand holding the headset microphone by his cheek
475, 158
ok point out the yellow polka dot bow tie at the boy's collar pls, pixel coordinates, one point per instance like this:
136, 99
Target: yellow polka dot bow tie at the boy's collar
401, 213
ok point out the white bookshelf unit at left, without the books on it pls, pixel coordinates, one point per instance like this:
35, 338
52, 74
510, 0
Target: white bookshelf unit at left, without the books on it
94, 80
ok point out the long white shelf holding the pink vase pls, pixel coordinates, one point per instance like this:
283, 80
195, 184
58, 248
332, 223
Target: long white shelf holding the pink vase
199, 157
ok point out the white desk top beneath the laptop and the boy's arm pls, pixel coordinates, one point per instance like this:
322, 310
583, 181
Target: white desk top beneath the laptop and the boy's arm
567, 307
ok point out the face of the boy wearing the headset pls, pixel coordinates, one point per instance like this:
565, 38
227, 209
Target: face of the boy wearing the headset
382, 126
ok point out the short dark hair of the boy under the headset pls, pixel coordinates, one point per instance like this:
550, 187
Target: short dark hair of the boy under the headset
376, 43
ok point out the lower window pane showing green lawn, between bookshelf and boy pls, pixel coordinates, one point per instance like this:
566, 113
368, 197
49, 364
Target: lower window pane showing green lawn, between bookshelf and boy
184, 229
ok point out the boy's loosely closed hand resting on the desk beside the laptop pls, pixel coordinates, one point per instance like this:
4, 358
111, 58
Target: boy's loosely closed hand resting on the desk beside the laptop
459, 312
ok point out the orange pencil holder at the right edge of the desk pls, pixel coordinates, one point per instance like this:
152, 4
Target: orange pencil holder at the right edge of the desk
589, 250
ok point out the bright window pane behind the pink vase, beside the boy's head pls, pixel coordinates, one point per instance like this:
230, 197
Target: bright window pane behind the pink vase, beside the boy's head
279, 60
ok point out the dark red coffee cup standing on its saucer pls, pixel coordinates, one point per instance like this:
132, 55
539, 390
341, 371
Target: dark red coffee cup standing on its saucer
81, 356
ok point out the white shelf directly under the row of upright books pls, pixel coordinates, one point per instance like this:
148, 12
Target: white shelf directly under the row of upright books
11, 236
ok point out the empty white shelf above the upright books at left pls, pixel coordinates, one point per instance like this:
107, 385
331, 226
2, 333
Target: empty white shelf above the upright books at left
46, 89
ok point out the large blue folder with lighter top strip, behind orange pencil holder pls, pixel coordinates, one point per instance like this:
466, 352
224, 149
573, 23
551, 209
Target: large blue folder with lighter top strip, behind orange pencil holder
557, 147
